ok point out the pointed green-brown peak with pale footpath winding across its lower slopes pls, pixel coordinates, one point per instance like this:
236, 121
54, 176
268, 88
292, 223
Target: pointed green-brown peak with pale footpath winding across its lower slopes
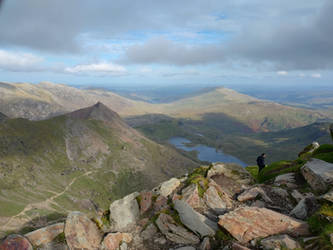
77, 161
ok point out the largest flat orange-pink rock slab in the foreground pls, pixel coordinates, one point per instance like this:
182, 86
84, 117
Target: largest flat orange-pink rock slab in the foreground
247, 223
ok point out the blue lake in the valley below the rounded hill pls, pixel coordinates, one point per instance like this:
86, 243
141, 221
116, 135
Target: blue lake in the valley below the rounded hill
205, 153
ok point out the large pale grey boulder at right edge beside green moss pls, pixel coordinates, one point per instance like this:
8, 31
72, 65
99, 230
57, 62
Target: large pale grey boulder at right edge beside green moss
319, 174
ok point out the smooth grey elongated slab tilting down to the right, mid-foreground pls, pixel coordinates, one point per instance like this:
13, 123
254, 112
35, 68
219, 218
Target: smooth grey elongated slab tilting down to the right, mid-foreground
195, 221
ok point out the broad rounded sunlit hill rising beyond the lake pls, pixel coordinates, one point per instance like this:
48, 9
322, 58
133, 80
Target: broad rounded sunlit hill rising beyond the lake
257, 114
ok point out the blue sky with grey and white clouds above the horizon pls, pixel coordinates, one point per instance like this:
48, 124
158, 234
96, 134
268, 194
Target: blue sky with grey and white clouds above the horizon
167, 42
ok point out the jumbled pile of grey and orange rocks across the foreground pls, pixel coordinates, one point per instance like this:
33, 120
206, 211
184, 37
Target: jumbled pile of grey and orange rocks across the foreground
215, 207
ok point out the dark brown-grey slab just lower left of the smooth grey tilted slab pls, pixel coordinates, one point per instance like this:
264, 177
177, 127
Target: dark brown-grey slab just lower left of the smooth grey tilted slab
174, 232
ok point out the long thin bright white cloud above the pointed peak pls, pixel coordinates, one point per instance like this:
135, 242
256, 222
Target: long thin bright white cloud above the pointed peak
97, 68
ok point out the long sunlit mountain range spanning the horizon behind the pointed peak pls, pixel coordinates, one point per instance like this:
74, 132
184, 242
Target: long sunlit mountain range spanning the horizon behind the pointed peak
40, 101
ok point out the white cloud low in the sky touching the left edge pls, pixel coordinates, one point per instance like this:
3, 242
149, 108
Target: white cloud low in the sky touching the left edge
16, 62
